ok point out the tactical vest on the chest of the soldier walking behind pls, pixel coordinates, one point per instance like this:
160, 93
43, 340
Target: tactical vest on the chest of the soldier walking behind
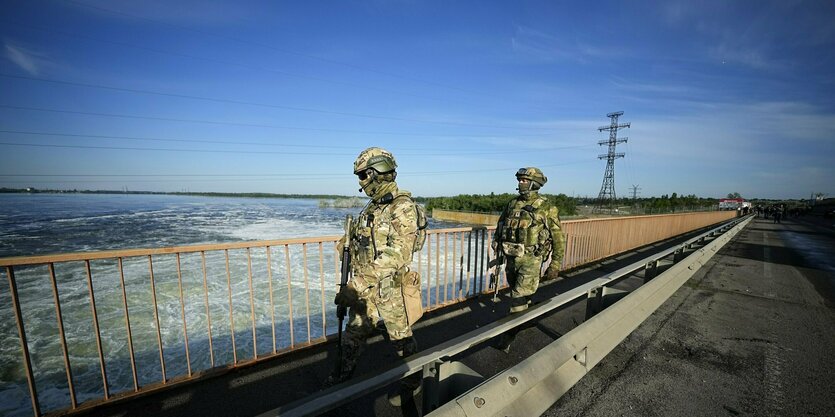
526, 225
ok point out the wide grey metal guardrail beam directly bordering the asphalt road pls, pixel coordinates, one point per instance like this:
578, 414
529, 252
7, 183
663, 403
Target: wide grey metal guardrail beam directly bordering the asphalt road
532, 386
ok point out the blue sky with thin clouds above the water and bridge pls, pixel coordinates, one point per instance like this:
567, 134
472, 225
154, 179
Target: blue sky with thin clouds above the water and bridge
280, 97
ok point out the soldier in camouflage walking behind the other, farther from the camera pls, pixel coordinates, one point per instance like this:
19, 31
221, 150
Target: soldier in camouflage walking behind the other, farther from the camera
528, 232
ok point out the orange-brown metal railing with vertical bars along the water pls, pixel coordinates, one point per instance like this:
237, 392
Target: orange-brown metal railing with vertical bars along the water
125, 322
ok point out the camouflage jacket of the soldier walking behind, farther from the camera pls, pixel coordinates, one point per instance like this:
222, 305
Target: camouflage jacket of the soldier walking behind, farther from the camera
533, 222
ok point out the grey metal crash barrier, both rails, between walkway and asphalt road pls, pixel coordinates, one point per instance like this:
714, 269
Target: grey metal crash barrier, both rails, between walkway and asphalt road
531, 387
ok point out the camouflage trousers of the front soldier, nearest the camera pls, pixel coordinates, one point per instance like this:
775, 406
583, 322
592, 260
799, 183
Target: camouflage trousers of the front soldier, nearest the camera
384, 301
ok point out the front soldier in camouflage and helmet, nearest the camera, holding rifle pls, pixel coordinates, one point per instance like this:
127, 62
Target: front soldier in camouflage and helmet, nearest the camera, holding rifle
381, 243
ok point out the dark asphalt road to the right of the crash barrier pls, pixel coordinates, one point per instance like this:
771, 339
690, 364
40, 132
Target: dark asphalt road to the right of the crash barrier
752, 333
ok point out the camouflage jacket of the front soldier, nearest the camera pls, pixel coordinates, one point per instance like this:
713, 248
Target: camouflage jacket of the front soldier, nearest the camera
383, 236
